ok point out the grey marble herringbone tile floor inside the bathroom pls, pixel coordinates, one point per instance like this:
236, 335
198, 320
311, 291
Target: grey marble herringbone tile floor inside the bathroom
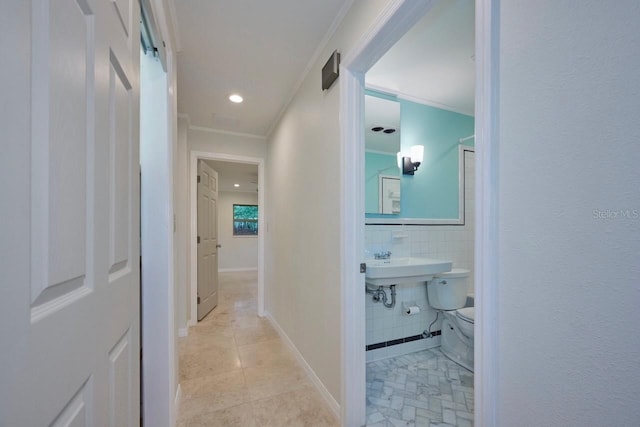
422, 389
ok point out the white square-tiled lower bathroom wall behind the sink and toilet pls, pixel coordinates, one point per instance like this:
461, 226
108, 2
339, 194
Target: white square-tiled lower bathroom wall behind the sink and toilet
450, 242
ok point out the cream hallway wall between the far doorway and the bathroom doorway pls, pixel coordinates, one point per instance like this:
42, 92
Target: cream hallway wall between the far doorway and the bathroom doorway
303, 212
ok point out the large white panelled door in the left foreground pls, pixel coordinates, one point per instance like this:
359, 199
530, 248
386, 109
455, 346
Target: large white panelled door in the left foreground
72, 356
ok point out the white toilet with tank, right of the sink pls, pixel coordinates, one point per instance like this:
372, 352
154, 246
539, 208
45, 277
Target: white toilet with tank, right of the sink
448, 292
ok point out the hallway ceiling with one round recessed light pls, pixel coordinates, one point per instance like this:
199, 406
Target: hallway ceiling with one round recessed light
259, 49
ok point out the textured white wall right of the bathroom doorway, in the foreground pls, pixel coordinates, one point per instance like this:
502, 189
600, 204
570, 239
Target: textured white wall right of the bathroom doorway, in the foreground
569, 288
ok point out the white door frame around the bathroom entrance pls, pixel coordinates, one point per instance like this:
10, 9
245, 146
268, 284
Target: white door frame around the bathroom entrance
395, 20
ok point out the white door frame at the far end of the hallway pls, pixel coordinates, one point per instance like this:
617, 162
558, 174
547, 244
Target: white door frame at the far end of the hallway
194, 156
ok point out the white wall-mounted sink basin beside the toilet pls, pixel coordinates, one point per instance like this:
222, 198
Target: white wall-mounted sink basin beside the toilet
396, 271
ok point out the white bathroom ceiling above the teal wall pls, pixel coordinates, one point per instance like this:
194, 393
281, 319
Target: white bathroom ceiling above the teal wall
434, 62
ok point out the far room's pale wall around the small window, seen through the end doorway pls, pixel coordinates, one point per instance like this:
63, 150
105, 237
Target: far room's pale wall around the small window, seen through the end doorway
237, 252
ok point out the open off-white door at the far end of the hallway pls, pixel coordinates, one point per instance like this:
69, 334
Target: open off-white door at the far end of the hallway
207, 239
